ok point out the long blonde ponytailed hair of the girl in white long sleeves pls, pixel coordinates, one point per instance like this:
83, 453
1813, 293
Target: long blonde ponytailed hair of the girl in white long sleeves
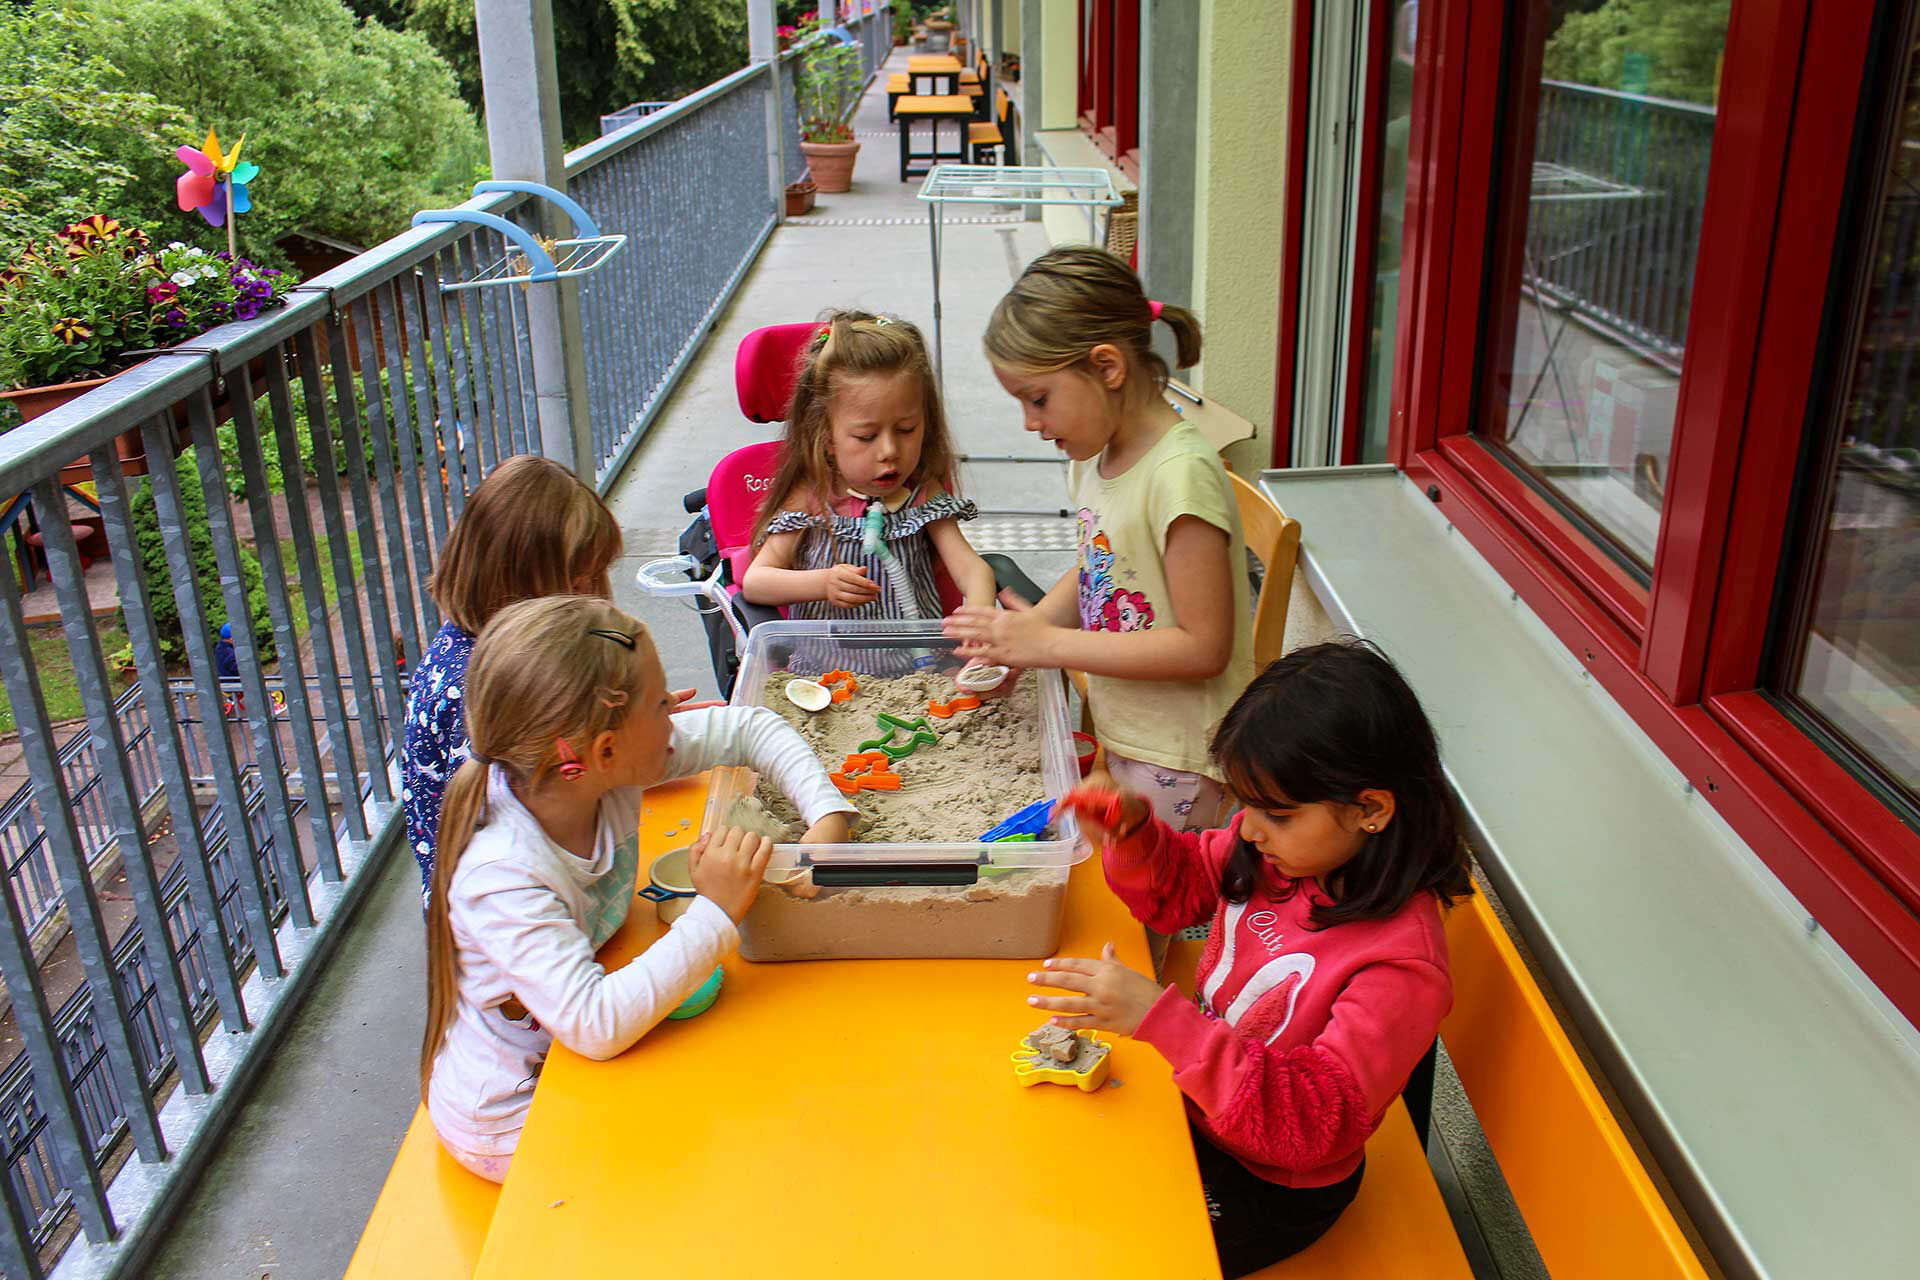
562, 667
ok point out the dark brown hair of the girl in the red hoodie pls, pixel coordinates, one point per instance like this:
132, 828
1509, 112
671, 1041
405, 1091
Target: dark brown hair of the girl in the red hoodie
1324, 724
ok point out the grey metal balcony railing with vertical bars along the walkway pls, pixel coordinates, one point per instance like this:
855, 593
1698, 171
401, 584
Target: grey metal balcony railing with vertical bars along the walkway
383, 400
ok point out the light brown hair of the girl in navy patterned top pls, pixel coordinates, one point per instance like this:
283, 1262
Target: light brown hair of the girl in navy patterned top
533, 529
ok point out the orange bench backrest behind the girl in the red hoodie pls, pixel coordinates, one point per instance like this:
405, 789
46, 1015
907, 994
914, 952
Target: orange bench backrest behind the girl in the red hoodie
1589, 1202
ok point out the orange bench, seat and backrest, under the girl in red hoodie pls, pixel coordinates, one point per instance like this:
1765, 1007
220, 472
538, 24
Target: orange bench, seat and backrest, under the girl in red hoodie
1591, 1206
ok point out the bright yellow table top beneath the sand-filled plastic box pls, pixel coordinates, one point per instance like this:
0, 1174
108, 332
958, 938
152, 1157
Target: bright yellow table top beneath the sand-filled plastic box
777, 1137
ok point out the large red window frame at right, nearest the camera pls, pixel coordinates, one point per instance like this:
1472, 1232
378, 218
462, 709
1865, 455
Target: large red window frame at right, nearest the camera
1685, 653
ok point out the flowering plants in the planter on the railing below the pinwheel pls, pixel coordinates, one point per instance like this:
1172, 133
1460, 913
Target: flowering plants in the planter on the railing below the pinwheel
95, 300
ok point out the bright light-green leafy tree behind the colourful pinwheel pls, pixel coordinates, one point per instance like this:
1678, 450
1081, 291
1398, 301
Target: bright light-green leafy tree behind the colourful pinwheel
356, 126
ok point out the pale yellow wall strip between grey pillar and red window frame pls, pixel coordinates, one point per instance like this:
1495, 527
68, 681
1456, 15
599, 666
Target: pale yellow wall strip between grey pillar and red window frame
1239, 206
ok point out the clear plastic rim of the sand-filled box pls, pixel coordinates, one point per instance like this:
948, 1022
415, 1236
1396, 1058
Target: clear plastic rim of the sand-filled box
794, 648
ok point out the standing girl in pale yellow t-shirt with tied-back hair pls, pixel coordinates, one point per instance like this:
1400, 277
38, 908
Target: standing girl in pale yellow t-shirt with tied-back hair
1157, 613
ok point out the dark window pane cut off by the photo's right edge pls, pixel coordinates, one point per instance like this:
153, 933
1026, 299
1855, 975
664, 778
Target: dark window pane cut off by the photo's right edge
1858, 663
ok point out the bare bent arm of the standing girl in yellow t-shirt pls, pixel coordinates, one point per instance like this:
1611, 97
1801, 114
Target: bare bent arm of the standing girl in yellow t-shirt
1199, 588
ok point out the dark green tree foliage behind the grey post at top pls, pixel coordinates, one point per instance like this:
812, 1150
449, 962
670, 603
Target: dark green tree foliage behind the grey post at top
610, 53
